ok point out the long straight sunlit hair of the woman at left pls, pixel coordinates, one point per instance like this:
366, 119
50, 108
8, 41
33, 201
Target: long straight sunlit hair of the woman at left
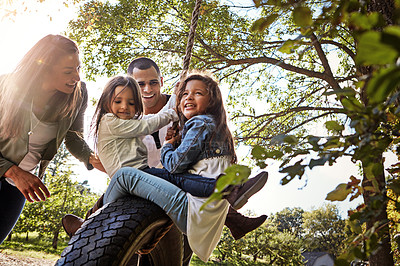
18, 88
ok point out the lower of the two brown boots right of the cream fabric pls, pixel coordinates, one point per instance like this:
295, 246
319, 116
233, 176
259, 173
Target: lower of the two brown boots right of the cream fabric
240, 225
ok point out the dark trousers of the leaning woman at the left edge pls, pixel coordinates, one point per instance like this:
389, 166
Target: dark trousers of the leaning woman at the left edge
12, 202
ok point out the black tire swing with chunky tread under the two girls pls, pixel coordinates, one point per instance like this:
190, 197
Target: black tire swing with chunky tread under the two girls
114, 234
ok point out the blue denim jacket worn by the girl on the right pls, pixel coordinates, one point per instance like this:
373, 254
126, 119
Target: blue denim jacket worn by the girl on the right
196, 145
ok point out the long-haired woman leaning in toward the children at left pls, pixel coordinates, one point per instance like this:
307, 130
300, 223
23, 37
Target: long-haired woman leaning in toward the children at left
42, 103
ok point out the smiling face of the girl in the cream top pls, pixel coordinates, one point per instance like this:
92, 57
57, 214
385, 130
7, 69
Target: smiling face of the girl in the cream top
123, 103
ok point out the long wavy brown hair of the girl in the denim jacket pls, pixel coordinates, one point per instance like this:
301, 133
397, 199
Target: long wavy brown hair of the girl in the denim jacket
215, 107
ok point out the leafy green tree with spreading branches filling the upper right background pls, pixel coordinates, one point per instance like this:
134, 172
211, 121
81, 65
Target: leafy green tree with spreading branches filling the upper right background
305, 61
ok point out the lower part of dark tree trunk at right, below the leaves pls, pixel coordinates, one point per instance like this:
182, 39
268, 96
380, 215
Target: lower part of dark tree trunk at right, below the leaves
383, 256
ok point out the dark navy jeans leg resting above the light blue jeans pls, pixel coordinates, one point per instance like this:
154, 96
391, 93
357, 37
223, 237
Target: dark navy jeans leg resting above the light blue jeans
194, 184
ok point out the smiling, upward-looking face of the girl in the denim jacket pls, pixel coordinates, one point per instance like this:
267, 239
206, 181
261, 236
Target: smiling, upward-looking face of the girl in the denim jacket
195, 99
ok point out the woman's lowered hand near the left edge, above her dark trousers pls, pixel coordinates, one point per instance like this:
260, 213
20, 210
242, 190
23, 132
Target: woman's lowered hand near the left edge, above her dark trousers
30, 185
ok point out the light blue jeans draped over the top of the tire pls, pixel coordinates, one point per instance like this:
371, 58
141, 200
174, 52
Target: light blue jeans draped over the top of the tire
131, 181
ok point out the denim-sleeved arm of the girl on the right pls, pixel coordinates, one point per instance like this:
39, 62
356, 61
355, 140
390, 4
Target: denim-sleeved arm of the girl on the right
180, 159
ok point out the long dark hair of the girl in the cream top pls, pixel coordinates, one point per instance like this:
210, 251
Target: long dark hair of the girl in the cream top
104, 103
